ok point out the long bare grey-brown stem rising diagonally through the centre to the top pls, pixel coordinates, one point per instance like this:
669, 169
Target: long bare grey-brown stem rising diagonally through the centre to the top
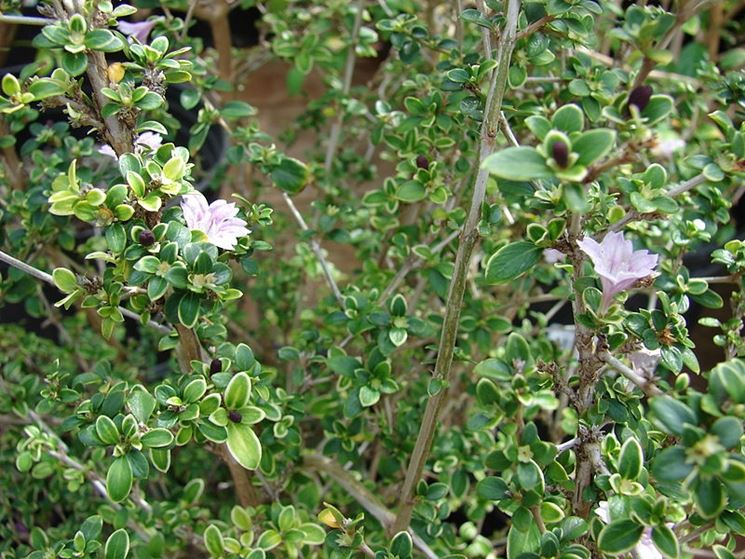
468, 238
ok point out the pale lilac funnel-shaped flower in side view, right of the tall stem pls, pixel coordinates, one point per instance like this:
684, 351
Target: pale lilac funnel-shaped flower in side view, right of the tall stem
617, 263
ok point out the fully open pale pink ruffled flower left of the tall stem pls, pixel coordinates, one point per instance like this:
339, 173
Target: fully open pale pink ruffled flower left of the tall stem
217, 220
